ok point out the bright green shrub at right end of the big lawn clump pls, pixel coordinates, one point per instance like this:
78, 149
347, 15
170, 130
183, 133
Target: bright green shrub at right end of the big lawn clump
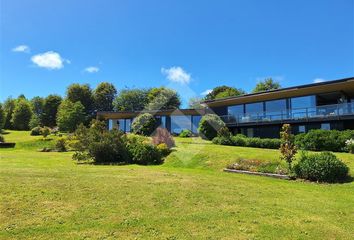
143, 153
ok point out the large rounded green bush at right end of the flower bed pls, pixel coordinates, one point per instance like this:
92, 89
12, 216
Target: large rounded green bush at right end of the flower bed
321, 167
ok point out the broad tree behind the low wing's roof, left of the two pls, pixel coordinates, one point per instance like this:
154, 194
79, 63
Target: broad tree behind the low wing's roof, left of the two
131, 100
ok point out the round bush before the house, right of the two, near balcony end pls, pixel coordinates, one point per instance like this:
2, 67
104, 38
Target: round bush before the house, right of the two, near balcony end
209, 126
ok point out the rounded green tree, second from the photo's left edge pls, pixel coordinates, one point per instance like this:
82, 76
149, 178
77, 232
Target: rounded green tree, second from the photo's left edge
22, 115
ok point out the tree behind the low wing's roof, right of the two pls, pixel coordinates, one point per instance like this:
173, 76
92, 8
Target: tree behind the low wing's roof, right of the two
163, 99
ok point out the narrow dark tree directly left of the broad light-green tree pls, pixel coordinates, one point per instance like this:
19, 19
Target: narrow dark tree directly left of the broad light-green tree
50, 109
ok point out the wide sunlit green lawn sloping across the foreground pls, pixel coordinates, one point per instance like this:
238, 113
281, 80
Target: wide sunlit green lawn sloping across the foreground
48, 196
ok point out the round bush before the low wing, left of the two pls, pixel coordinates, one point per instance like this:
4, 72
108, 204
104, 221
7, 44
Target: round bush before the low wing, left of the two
144, 124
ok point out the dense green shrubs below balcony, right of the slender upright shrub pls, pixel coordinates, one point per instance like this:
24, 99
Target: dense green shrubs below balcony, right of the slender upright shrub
324, 140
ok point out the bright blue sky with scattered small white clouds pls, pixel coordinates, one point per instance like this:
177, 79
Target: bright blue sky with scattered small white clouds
189, 45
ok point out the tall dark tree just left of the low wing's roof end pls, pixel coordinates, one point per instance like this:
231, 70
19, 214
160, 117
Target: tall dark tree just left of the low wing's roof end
103, 96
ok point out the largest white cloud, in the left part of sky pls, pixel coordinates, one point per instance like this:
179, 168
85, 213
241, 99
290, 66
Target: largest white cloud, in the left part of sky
50, 60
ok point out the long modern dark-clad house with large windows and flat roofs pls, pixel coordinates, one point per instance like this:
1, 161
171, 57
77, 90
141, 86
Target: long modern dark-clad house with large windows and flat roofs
325, 105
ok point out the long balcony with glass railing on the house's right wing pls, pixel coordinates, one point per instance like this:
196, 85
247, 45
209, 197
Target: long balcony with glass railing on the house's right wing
335, 111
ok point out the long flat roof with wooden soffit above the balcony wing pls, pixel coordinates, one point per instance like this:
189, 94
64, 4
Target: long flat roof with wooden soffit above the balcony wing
345, 85
